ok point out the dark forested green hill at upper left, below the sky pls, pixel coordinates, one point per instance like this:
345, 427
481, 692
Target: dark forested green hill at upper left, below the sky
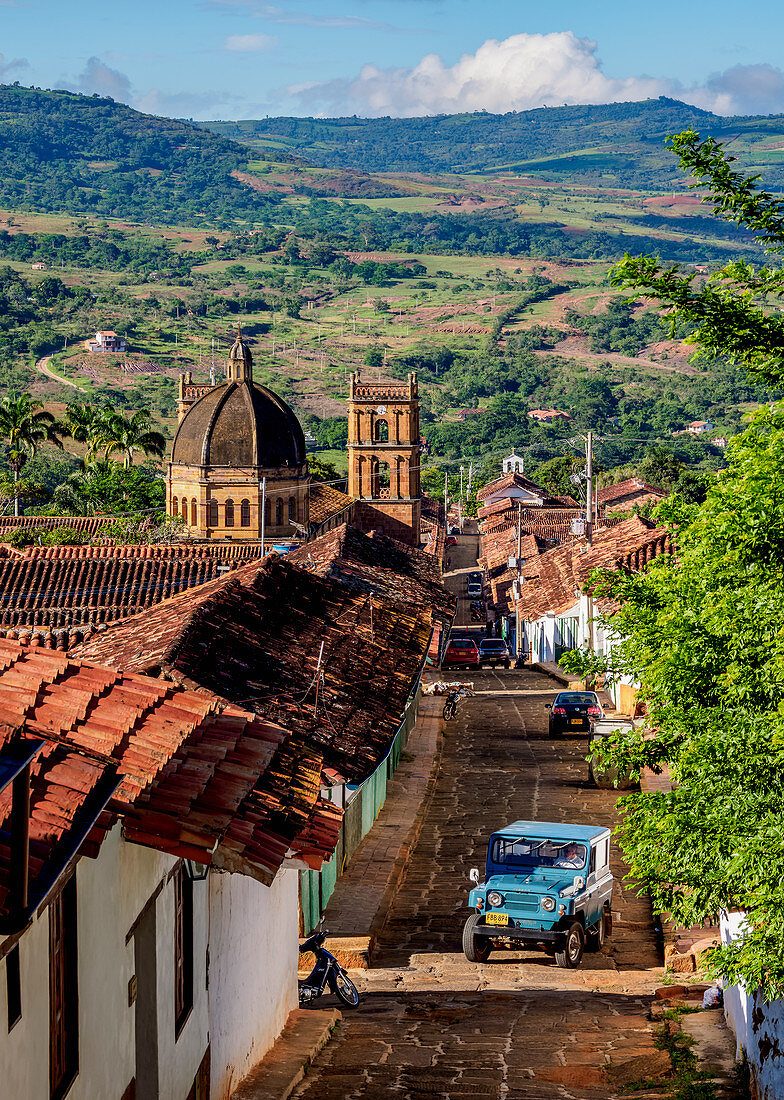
84, 155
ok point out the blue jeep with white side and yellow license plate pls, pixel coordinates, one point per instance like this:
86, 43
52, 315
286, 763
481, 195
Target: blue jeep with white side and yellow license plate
545, 884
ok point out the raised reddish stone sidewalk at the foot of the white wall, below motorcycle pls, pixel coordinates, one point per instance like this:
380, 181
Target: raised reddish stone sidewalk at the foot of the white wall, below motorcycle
278, 1075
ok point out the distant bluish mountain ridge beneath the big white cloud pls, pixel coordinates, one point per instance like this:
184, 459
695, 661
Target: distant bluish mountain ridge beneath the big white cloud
621, 145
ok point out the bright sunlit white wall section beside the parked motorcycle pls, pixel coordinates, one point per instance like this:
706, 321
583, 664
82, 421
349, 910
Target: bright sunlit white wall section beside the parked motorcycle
253, 971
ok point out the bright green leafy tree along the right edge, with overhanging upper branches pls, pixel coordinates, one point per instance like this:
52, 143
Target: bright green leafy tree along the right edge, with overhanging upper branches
703, 634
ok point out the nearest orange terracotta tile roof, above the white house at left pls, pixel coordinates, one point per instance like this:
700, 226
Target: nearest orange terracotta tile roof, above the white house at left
197, 779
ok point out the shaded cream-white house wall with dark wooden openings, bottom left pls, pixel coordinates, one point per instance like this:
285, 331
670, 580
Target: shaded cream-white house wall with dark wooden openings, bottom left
112, 892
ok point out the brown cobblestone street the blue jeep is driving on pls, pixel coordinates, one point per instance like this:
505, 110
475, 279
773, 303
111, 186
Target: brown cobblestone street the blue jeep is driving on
432, 1024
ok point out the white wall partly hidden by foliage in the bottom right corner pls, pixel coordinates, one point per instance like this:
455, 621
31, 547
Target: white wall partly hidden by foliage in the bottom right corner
758, 1025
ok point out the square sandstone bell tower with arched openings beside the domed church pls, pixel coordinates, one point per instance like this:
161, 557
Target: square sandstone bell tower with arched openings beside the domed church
384, 454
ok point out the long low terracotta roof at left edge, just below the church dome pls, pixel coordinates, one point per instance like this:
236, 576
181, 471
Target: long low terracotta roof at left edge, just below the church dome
54, 591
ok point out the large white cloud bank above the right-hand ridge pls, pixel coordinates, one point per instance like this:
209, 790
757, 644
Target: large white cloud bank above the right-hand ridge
531, 71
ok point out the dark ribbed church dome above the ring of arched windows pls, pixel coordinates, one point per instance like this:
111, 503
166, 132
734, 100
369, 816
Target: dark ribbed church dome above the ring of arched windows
240, 424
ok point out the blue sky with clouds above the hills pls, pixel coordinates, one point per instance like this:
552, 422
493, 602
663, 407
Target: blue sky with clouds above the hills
248, 59
